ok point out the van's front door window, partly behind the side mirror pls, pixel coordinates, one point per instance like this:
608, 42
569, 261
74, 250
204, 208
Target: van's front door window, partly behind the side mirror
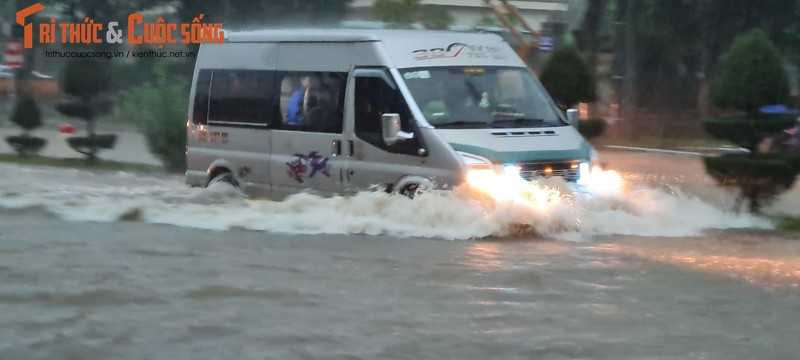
373, 98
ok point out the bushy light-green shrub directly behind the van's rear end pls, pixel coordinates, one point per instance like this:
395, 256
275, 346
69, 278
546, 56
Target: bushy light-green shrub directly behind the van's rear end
159, 110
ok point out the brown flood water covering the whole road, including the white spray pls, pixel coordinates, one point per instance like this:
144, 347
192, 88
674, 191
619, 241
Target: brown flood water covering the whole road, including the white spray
115, 265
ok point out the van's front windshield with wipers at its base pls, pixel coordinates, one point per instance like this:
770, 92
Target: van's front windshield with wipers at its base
480, 97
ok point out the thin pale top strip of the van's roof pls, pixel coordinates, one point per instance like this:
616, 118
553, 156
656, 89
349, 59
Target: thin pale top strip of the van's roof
334, 35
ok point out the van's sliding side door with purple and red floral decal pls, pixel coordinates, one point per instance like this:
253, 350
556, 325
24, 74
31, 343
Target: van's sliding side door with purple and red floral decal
308, 147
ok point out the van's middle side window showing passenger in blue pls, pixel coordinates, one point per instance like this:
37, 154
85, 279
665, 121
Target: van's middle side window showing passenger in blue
312, 101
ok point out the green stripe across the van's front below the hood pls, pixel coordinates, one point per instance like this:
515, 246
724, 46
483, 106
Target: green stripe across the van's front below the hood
509, 157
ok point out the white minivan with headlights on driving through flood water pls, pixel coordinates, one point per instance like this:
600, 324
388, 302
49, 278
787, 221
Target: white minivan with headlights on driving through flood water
277, 112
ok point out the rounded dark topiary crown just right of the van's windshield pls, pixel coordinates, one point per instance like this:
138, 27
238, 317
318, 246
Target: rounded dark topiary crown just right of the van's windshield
568, 79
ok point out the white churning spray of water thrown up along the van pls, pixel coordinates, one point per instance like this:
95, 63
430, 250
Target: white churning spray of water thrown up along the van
551, 208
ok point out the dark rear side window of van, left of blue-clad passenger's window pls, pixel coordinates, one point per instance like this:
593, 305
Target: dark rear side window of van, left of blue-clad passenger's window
242, 98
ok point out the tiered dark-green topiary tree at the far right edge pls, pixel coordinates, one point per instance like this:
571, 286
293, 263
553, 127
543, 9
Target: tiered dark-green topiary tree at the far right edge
750, 76
